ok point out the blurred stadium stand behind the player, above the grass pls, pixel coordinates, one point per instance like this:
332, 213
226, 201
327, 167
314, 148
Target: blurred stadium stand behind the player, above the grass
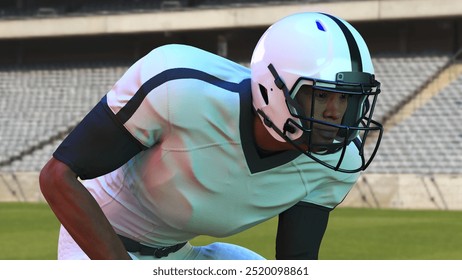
58, 58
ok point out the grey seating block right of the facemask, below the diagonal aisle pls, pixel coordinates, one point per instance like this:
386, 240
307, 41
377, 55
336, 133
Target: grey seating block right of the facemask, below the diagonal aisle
429, 141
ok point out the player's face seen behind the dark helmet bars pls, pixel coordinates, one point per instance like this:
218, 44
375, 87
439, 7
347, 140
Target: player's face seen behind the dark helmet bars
328, 107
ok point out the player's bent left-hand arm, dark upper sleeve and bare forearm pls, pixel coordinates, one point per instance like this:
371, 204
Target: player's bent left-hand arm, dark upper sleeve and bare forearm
98, 145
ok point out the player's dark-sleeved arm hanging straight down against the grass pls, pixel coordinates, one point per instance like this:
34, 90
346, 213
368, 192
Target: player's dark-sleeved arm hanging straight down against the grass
300, 231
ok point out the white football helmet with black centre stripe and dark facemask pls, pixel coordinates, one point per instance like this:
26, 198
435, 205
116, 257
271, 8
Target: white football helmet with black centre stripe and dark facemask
318, 53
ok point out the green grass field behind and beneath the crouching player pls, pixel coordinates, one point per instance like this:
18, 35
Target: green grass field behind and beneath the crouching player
29, 232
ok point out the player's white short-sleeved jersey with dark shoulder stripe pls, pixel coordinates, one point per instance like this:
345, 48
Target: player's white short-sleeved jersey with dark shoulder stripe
201, 172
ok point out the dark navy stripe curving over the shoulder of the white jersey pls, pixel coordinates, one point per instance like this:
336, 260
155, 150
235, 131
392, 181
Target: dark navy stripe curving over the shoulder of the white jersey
168, 75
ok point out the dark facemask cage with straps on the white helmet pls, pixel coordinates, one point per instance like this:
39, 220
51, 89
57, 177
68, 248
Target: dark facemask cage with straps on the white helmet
353, 94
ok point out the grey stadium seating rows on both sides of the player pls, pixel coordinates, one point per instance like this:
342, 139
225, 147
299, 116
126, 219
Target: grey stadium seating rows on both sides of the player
40, 105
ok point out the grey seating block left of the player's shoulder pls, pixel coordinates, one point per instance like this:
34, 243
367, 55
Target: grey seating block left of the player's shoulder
40, 105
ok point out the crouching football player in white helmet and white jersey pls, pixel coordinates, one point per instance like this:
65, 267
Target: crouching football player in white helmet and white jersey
188, 143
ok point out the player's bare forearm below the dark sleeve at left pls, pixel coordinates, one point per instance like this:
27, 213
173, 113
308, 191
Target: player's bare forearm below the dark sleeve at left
78, 211
